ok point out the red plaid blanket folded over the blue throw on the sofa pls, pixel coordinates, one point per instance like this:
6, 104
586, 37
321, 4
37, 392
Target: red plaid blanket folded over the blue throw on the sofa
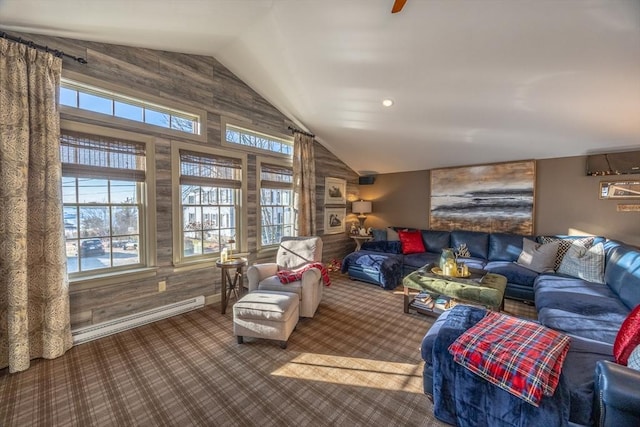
517, 355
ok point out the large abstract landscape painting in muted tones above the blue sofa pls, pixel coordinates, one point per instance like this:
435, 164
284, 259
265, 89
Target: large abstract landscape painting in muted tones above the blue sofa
492, 198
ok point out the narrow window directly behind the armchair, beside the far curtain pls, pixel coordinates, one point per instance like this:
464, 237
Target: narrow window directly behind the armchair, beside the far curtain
277, 215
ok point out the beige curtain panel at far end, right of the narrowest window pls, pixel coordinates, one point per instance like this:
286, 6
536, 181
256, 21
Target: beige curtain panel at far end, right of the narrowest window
304, 183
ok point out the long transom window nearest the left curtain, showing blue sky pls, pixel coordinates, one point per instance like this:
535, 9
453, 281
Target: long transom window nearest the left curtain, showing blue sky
110, 103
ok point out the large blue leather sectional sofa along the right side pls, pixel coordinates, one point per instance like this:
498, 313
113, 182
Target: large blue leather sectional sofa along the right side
593, 389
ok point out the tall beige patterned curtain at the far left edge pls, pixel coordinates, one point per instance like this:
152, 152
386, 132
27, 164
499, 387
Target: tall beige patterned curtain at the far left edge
34, 297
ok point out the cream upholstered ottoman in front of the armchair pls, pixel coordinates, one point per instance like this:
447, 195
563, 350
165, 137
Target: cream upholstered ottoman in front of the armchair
266, 314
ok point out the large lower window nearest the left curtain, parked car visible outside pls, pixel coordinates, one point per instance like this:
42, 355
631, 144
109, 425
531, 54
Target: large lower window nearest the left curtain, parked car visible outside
104, 193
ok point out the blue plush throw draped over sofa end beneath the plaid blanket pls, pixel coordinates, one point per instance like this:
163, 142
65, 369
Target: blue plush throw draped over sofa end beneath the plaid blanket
464, 399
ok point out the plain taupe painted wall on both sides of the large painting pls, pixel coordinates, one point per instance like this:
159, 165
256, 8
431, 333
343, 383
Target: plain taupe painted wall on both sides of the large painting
567, 201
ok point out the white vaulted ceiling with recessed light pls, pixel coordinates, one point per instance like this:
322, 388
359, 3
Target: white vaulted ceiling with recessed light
474, 81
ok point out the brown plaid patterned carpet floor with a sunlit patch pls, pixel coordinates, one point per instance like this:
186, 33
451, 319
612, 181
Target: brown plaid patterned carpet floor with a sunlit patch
356, 363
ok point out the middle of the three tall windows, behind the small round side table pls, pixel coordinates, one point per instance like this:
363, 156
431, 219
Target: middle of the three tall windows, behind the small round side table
210, 210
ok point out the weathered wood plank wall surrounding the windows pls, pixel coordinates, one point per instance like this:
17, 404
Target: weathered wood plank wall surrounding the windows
204, 83
